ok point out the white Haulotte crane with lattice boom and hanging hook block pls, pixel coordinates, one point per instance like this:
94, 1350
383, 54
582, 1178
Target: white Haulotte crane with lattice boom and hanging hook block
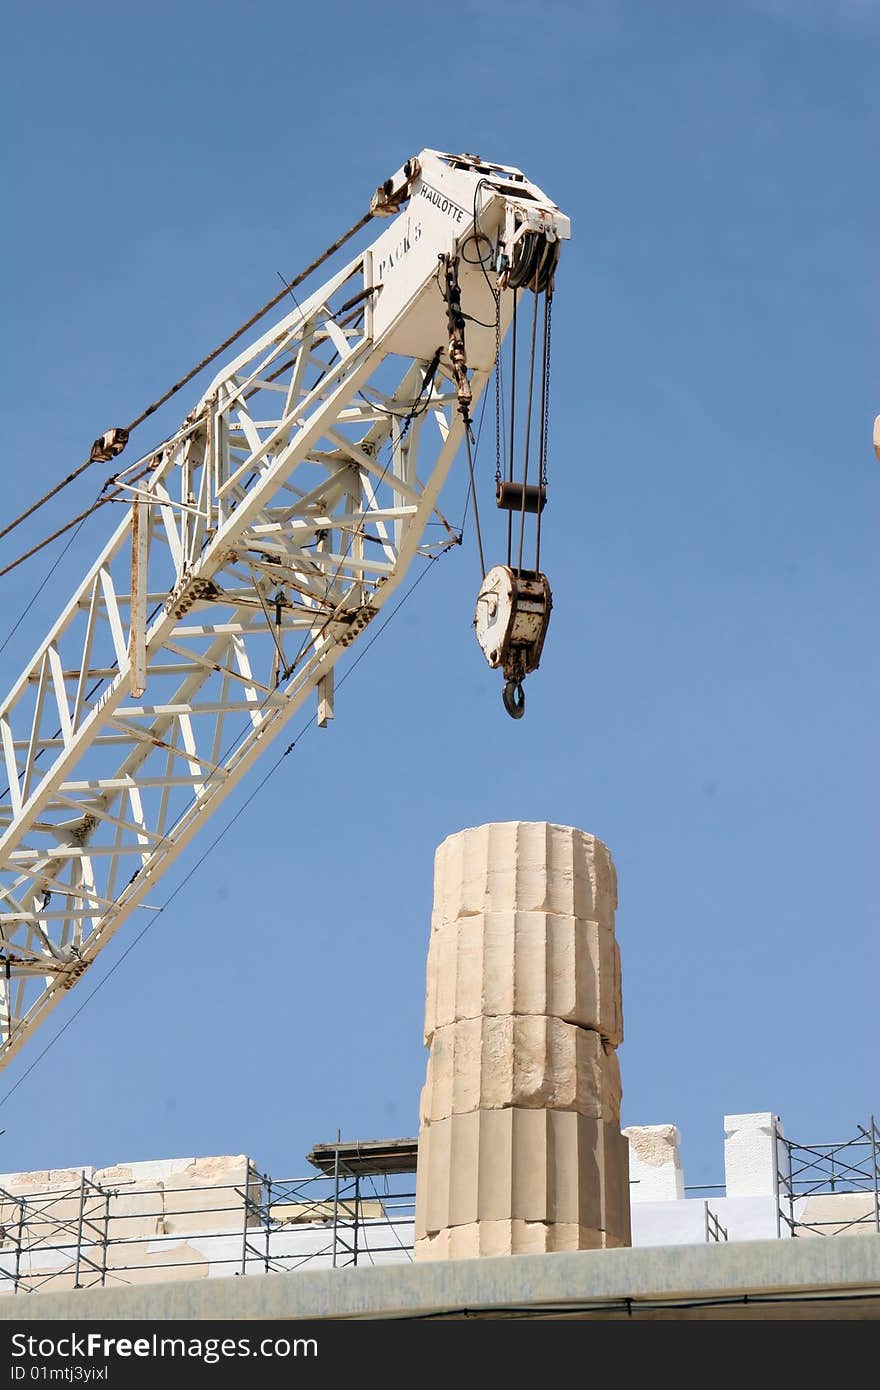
259, 541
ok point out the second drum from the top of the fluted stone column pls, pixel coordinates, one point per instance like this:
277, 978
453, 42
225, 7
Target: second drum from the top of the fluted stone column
525, 963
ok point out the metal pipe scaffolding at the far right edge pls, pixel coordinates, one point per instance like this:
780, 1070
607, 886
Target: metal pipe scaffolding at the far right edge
829, 1189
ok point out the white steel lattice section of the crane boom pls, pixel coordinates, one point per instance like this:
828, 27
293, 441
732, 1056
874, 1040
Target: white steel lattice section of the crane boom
273, 529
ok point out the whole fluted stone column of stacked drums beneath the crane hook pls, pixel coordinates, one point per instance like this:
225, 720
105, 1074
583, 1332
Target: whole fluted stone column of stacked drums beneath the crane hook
519, 1145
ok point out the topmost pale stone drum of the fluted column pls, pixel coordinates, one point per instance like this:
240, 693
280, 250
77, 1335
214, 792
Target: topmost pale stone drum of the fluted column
532, 867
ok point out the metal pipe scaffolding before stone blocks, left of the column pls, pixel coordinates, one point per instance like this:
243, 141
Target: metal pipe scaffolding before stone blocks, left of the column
92, 1235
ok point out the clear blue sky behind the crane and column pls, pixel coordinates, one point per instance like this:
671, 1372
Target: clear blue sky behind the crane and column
707, 701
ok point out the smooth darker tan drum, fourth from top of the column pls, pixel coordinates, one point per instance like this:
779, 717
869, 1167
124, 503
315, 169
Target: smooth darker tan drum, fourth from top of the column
528, 1166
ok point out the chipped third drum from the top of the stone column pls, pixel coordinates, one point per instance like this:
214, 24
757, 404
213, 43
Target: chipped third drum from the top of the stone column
535, 1063
